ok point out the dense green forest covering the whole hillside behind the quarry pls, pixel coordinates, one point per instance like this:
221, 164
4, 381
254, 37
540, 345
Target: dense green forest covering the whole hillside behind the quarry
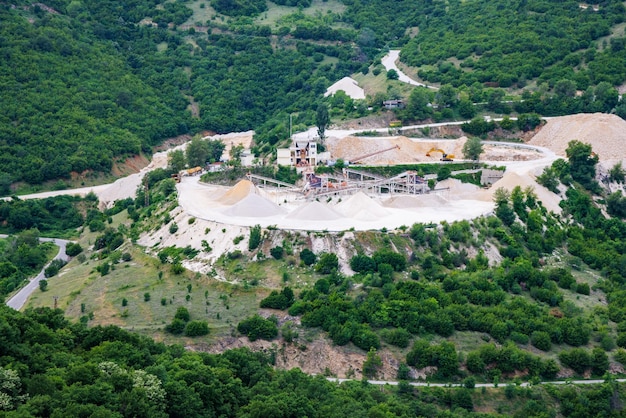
86, 83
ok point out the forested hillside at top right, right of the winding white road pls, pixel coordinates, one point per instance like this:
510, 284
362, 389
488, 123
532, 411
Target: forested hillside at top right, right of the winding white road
515, 43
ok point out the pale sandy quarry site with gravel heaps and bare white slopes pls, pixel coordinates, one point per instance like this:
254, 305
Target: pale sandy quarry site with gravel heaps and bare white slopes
355, 204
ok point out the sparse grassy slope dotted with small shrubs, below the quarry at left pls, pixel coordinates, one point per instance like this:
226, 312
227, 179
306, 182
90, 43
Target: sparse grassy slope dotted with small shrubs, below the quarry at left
102, 297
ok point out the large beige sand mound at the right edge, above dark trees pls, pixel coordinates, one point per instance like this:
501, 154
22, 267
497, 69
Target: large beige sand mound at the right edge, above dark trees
605, 133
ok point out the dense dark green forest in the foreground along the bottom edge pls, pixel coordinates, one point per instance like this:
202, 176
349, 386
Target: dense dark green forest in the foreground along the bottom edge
53, 368
